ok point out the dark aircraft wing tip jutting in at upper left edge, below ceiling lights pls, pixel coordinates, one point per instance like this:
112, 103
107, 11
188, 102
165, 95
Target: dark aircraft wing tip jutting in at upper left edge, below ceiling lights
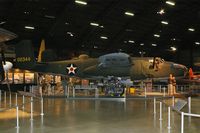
6, 35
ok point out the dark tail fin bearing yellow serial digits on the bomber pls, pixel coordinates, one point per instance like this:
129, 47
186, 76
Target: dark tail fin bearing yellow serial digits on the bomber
25, 55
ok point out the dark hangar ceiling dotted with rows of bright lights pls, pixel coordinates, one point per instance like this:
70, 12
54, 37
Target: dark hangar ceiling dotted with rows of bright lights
132, 26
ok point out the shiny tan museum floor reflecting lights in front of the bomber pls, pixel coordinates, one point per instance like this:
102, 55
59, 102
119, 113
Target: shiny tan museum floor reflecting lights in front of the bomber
95, 116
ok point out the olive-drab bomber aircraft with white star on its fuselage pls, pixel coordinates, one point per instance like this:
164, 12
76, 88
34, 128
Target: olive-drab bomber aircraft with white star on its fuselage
114, 64
